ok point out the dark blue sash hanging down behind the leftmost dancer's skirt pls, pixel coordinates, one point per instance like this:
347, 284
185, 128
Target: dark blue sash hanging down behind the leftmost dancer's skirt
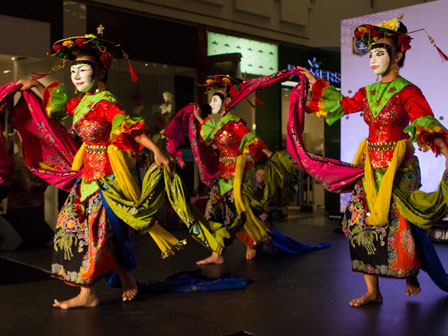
123, 245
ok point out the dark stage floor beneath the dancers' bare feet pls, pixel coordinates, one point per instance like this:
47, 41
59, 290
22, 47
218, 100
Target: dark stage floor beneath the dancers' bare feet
299, 295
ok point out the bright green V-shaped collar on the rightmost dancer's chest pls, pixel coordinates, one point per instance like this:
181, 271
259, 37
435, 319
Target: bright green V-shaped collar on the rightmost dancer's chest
379, 94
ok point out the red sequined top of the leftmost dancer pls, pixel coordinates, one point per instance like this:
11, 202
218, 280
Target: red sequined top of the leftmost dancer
94, 128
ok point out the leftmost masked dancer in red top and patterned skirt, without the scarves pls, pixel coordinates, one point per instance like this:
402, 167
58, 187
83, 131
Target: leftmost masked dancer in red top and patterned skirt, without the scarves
89, 240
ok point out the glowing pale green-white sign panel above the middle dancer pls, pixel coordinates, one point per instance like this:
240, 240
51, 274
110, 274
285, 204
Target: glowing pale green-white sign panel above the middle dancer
258, 58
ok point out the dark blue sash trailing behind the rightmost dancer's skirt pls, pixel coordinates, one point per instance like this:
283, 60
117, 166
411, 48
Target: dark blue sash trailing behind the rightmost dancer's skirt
429, 259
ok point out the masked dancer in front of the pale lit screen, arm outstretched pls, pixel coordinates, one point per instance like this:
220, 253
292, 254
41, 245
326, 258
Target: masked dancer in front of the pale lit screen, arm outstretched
385, 210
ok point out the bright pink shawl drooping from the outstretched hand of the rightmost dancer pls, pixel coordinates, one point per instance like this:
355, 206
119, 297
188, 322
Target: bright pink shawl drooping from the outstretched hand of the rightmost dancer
333, 175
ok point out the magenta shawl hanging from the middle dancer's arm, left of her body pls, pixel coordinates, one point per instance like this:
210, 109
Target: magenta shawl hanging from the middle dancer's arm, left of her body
185, 123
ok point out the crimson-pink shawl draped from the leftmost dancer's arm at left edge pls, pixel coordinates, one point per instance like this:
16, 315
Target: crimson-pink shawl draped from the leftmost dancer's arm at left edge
48, 149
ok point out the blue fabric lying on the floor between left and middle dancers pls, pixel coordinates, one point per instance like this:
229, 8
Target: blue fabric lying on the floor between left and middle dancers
194, 281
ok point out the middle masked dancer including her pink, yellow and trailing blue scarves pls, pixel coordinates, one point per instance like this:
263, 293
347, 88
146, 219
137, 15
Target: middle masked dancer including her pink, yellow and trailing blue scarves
229, 174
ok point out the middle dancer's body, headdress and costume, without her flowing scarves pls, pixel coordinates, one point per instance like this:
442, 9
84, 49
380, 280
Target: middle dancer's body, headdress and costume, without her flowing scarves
232, 139
